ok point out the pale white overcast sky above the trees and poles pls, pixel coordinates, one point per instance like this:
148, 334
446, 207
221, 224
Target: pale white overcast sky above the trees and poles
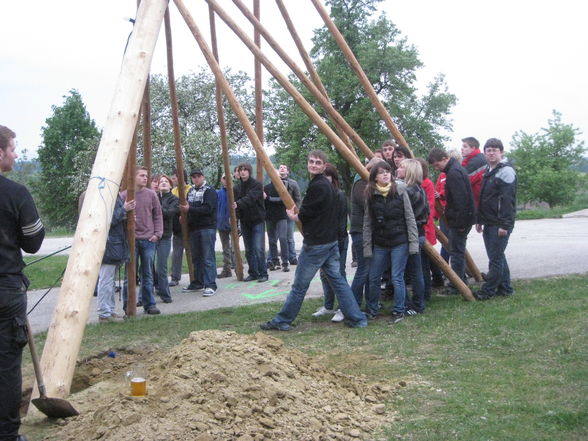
510, 63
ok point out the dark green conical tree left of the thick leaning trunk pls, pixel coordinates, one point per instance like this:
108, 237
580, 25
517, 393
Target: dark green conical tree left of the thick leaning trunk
67, 133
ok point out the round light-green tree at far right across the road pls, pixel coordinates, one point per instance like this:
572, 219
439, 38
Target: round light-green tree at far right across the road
547, 162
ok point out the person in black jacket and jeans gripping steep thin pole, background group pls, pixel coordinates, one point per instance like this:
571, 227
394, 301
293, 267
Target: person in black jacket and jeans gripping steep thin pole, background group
251, 212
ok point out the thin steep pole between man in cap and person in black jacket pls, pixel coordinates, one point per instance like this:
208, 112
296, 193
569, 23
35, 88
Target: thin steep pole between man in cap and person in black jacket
226, 160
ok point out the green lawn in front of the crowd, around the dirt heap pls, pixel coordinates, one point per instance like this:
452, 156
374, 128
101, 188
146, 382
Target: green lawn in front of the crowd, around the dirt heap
506, 369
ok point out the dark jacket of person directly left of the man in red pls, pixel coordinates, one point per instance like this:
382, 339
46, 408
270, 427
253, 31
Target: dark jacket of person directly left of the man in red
461, 209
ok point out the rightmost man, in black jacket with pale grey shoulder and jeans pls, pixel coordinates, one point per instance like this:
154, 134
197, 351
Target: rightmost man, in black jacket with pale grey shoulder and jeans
496, 217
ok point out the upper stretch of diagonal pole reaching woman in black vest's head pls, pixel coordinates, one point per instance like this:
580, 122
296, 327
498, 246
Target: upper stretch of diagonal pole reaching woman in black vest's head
298, 98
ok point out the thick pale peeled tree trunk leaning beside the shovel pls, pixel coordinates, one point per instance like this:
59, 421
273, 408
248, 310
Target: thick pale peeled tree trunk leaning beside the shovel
71, 312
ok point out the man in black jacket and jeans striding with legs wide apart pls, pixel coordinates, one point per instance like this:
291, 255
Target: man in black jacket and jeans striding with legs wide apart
320, 250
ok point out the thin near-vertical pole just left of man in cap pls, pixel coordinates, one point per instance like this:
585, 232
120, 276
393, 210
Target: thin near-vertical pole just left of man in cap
171, 79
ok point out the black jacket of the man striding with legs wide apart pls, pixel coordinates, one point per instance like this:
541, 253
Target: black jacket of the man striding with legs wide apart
318, 212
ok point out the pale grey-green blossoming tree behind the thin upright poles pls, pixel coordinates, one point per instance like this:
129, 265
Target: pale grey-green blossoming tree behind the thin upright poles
198, 118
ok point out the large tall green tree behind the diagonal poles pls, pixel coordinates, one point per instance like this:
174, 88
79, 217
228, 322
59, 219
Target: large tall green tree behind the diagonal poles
389, 62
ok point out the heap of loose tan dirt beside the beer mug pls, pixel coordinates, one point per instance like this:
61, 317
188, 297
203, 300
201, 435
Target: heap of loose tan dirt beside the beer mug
226, 386
